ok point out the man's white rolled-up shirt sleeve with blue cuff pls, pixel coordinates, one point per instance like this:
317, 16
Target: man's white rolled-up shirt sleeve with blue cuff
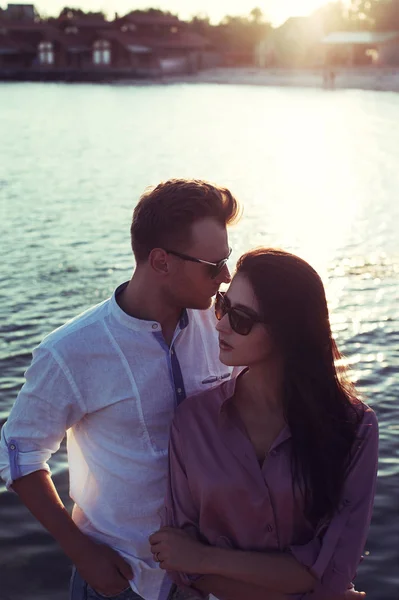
47, 405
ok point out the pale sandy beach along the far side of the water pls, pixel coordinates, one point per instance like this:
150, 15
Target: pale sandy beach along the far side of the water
376, 79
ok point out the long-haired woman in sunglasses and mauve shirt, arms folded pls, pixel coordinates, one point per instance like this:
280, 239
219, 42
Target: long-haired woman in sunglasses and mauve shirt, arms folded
272, 474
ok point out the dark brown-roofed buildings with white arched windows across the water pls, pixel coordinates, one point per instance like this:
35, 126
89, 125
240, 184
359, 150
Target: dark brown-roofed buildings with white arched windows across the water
92, 48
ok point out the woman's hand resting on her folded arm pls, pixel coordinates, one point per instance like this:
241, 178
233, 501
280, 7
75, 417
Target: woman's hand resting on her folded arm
176, 550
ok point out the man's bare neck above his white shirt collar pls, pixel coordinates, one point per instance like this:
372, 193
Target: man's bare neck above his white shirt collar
142, 300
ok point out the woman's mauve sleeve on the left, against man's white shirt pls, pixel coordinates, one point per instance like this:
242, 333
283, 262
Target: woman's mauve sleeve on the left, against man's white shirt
180, 510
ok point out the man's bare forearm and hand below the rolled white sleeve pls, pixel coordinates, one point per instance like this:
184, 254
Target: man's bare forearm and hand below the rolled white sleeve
104, 569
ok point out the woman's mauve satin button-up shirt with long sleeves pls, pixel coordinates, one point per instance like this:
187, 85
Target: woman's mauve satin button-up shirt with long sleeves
218, 491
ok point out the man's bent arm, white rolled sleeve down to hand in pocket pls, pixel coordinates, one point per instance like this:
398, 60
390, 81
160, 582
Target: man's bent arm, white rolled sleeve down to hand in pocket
48, 404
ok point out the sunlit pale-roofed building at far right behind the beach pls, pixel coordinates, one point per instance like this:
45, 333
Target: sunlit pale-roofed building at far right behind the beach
360, 48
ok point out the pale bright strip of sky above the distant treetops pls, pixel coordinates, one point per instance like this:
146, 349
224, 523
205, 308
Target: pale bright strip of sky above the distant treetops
276, 11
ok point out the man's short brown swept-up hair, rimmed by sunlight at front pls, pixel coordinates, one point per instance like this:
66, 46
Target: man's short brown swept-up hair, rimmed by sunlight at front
165, 214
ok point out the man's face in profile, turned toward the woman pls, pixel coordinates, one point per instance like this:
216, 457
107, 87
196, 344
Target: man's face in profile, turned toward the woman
190, 284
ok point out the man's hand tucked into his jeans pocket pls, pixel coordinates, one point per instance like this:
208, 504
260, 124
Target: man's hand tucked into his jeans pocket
103, 569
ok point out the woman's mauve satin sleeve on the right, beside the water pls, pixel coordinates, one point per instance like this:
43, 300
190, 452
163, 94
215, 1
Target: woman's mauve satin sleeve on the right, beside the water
333, 555
